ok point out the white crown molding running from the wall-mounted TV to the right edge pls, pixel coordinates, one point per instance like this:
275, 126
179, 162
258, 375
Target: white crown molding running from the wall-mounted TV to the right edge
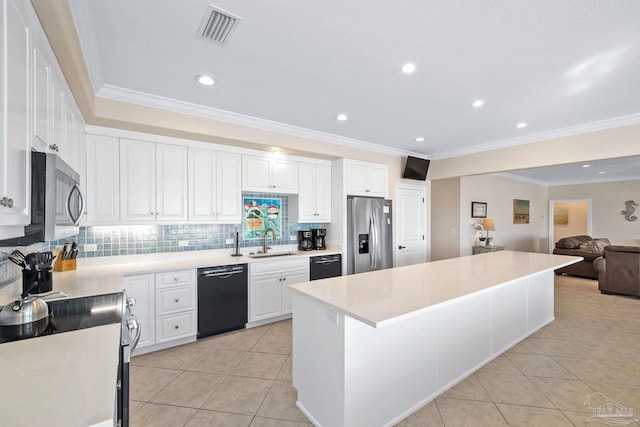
631, 119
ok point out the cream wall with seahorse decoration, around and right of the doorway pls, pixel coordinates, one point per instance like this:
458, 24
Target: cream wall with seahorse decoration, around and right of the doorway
607, 202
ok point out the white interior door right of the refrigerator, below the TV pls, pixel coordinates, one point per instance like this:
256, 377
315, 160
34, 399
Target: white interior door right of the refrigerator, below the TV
411, 220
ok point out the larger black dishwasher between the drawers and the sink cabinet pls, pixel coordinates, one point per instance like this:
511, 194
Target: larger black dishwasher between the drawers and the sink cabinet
222, 299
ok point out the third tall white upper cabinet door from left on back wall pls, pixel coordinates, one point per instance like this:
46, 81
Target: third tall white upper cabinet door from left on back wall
171, 182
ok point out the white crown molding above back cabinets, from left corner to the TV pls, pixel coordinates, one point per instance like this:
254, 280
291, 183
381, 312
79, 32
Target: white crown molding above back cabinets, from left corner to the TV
168, 104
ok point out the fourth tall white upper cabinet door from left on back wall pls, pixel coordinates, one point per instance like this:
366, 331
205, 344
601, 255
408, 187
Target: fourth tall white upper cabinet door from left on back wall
202, 185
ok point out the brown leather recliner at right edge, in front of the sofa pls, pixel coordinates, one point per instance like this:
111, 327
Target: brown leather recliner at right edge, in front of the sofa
619, 270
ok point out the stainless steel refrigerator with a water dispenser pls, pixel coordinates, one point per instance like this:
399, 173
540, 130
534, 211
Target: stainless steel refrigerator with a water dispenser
369, 234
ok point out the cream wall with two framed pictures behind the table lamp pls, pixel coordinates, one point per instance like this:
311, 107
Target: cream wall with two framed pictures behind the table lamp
498, 193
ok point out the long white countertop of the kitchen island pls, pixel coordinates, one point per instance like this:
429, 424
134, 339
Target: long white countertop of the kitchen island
382, 297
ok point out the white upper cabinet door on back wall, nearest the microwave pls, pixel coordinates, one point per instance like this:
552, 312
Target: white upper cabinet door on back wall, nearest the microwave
103, 170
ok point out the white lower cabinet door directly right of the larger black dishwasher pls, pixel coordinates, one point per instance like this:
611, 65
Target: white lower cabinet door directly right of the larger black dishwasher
265, 296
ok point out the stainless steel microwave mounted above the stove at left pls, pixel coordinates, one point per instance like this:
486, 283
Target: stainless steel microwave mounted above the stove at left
57, 202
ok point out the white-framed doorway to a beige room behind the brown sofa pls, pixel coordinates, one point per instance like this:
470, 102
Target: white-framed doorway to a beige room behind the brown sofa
571, 217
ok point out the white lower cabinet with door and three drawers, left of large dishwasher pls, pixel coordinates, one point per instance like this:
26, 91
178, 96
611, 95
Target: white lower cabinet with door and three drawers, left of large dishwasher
166, 308
